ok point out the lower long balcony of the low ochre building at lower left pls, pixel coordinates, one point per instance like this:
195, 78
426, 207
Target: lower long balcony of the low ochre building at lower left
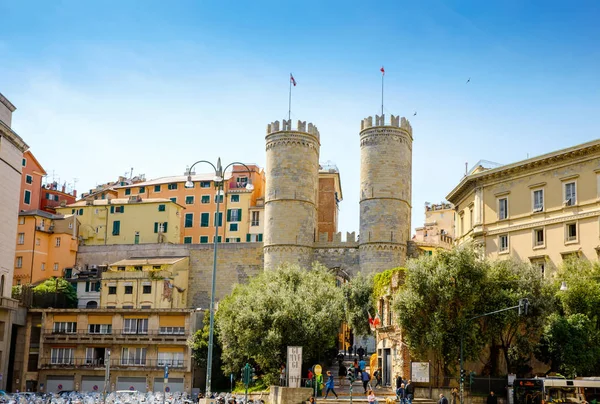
116, 363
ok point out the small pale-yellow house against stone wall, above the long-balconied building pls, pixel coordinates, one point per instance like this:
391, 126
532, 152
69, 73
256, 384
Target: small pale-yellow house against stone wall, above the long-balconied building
144, 283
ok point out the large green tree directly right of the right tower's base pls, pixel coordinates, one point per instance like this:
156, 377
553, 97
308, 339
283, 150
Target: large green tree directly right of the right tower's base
448, 287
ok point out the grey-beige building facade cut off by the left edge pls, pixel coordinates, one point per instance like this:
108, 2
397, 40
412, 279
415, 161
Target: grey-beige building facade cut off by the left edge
12, 148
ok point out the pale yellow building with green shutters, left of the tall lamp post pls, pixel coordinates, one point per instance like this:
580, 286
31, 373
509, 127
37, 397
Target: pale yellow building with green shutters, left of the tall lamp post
130, 220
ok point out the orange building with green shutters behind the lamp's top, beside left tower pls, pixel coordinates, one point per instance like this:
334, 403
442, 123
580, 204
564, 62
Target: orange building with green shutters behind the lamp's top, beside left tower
199, 217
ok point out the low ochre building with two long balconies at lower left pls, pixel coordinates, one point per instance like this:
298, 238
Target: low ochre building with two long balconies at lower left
67, 349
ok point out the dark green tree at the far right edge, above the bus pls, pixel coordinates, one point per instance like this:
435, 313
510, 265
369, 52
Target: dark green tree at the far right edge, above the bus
571, 345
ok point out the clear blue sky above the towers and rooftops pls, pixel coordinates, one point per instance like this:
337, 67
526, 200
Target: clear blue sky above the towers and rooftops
104, 86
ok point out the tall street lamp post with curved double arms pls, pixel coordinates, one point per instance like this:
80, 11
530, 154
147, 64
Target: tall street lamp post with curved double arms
219, 180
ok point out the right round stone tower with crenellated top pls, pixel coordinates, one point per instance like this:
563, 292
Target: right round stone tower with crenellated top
385, 192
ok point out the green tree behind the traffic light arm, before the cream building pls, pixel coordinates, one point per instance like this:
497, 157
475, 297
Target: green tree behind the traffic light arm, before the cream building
507, 282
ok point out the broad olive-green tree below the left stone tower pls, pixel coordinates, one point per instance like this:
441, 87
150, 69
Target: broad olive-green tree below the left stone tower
276, 309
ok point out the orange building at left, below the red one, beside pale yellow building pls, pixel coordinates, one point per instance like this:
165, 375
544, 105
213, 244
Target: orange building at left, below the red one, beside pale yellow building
46, 245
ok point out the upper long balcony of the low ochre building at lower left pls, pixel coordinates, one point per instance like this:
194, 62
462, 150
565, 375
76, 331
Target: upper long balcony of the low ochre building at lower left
125, 336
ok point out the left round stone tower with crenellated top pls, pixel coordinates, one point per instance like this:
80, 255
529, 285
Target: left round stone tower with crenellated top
292, 177
